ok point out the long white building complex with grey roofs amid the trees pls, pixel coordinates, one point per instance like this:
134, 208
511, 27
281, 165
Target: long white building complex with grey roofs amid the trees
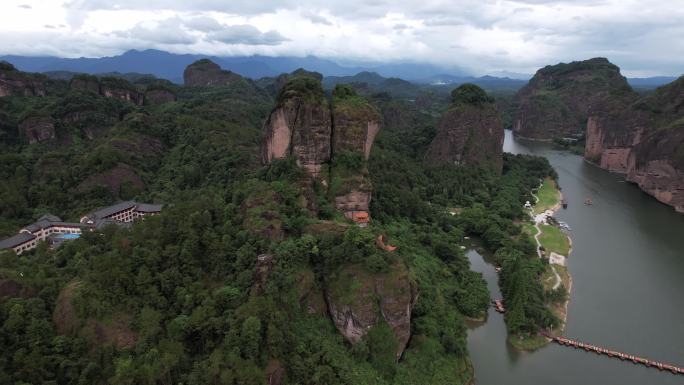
53, 230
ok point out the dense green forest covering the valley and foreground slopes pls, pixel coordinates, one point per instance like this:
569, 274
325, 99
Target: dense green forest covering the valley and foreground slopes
232, 283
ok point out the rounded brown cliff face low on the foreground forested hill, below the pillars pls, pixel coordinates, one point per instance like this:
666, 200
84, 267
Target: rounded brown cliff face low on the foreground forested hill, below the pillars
357, 301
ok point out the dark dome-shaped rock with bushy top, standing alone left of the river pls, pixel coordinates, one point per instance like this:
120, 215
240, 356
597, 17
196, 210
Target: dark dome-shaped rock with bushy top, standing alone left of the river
470, 131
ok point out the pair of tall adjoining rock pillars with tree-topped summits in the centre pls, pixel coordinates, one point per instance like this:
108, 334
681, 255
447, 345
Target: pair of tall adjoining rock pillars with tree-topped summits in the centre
332, 146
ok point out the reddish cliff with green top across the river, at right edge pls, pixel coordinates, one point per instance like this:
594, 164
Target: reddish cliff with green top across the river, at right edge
645, 141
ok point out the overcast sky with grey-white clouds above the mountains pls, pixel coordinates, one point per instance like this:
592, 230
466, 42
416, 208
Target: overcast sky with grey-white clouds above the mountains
644, 38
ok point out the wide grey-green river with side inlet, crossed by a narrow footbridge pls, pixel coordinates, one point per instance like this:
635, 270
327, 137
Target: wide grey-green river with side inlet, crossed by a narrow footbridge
627, 266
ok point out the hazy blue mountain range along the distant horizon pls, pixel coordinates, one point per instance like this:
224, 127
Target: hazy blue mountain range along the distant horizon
170, 66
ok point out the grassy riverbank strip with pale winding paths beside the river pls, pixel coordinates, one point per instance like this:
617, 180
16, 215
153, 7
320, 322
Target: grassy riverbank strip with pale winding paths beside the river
556, 245
